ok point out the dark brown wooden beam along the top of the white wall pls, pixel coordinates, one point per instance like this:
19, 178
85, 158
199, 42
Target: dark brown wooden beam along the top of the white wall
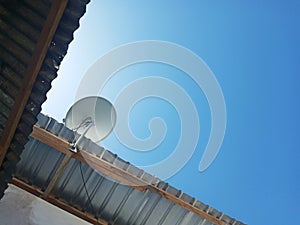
57, 202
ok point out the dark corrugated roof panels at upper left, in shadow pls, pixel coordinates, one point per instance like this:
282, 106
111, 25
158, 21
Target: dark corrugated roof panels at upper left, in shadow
21, 23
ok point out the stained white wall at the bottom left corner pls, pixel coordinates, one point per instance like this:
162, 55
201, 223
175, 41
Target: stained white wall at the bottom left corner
19, 207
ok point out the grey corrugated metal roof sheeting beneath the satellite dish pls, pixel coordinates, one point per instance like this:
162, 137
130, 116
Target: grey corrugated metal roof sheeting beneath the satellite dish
109, 200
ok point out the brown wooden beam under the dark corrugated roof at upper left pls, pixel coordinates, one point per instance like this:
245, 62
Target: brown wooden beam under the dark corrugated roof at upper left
34, 66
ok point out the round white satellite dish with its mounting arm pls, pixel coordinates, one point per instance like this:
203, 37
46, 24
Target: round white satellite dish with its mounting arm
93, 117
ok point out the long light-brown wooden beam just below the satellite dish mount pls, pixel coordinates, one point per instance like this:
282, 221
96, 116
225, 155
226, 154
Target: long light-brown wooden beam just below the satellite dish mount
116, 173
